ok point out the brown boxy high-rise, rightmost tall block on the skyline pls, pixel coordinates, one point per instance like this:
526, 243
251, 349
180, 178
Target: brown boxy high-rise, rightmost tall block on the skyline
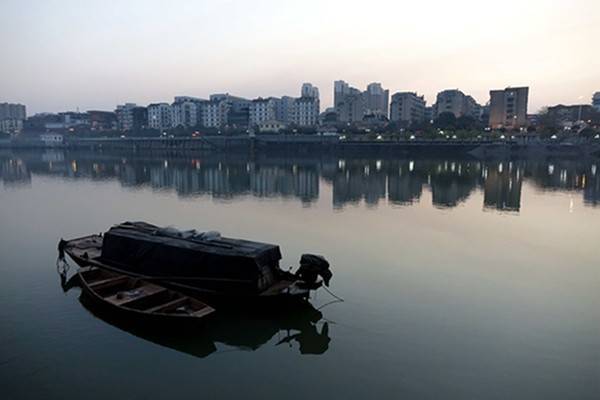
508, 108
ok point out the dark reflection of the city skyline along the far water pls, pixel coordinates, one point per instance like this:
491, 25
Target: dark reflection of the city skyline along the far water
353, 180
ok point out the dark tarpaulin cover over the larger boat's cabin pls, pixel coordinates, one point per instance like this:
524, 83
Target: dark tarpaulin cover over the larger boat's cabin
145, 249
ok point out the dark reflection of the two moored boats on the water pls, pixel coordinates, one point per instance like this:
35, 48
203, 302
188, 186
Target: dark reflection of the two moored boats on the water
302, 327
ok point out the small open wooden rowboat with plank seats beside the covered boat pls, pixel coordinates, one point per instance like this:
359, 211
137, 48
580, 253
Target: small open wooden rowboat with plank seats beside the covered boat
138, 298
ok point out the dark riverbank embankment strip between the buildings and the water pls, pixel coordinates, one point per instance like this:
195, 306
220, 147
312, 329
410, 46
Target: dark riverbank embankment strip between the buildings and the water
481, 148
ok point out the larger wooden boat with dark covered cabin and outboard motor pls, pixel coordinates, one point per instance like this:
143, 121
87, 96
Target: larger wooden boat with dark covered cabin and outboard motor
221, 270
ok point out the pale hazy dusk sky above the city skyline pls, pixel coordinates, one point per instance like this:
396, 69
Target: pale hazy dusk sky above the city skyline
62, 54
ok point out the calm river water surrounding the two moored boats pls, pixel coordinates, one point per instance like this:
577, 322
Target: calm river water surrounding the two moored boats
462, 279
